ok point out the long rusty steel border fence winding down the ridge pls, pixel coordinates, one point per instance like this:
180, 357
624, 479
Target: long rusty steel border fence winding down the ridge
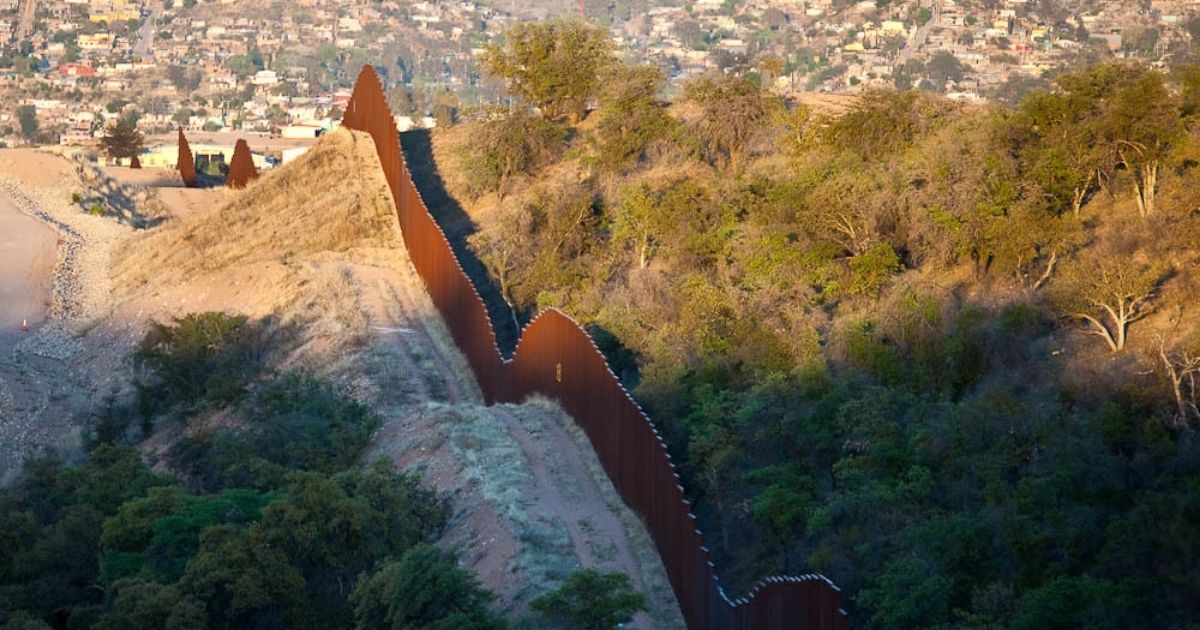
556, 358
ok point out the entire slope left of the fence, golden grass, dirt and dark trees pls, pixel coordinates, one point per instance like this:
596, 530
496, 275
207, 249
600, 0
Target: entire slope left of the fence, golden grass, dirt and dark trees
287, 439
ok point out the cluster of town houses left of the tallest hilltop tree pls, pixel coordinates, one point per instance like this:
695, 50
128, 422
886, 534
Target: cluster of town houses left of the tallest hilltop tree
269, 68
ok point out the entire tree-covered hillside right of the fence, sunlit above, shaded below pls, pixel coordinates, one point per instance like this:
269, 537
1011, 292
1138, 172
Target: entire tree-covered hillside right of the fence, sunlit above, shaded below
945, 355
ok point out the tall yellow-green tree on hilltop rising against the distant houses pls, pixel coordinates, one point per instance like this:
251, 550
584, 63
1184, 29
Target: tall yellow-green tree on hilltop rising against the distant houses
554, 65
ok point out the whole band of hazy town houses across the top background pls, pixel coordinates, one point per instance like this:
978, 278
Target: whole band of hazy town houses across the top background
285, 68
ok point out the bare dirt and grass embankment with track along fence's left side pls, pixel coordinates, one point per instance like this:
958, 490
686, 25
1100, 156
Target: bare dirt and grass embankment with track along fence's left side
314, 250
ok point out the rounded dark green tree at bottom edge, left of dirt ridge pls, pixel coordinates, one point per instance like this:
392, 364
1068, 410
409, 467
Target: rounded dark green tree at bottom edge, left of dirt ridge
425, 589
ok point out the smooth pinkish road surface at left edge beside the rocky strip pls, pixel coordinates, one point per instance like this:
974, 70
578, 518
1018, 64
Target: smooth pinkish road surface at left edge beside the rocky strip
27, 272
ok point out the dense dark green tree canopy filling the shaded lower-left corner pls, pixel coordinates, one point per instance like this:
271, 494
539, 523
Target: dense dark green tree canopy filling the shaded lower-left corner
274, 526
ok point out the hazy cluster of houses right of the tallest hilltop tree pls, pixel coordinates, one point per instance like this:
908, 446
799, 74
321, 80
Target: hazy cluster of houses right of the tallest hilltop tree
850, 47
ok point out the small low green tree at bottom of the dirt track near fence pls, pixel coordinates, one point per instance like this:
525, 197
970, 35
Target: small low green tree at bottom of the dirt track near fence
592, 601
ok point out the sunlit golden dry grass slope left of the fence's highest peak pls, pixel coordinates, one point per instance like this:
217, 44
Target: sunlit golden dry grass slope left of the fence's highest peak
333, 200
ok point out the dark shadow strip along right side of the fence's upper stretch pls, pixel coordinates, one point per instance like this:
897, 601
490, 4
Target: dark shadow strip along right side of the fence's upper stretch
458, 226
